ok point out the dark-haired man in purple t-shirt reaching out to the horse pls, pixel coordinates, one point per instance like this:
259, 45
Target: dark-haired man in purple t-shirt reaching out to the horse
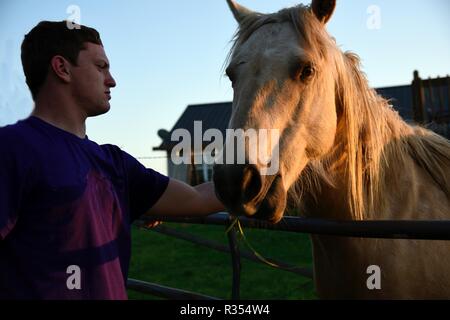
66, 203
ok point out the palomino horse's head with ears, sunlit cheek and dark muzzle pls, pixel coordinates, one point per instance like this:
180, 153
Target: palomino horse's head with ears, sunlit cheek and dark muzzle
282, 78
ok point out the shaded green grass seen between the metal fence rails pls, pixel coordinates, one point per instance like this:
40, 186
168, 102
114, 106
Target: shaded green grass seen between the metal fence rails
177, 263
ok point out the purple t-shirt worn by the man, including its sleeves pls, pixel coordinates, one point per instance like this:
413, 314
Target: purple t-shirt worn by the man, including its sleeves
66, 205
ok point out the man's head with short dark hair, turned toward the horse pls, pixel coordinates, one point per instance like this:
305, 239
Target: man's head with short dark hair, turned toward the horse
74, 59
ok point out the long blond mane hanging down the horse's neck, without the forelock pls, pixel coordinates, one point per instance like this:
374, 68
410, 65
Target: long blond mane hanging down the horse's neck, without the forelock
375, 140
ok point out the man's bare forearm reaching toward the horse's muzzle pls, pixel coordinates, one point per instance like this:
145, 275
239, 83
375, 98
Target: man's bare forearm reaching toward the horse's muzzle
181, 199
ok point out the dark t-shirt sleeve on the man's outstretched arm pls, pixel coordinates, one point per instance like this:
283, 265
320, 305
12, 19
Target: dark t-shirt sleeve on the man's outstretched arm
146, 186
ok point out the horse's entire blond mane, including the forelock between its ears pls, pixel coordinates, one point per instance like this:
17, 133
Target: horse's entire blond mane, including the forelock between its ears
371, 137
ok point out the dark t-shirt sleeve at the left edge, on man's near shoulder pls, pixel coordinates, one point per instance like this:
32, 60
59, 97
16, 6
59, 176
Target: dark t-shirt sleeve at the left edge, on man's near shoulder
12, 181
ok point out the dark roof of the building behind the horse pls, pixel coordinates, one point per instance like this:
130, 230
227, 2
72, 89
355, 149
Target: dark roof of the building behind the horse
217, 115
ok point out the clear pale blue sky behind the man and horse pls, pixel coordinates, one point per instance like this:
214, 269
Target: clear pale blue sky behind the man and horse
166, 55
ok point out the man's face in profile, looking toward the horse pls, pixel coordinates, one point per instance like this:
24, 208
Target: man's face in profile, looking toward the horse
92, 81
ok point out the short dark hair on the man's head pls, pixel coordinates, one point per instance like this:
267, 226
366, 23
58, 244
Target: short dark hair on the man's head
47, 40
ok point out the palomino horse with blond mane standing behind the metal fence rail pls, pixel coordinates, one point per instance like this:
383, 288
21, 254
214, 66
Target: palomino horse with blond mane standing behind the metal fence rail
344, 153
